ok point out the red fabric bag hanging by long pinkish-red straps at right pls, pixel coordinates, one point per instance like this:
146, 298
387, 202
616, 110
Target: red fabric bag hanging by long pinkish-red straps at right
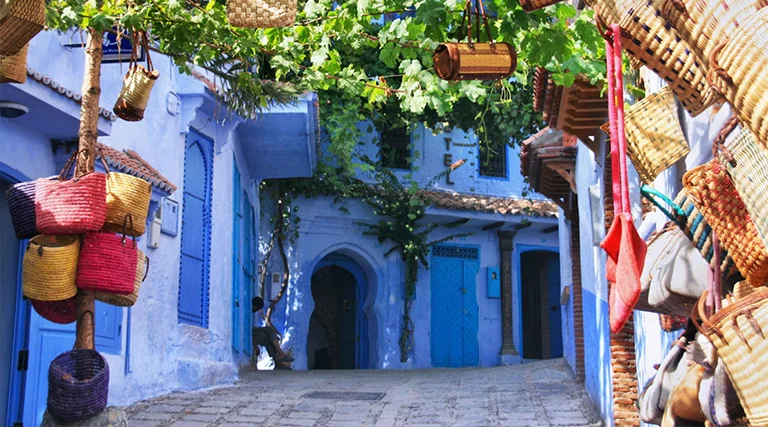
625, 248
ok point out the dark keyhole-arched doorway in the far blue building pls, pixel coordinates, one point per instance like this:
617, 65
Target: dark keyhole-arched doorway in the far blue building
338, 328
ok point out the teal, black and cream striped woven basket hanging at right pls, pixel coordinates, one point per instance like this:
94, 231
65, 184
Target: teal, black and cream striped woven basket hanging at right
685, 215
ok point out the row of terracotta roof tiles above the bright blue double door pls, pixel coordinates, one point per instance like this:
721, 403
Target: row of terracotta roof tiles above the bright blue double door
490, 204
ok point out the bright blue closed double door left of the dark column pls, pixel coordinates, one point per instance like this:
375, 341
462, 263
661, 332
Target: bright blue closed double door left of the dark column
454, 306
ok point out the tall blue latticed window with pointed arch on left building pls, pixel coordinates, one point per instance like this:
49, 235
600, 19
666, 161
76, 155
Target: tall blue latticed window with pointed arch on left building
194, 274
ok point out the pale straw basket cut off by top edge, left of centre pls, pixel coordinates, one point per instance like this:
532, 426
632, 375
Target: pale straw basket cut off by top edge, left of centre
261, 13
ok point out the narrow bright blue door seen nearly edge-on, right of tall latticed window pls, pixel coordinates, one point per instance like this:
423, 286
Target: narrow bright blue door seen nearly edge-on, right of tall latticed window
237, 261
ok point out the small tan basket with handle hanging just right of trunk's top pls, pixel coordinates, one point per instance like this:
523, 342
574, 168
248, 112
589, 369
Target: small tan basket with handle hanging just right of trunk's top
137, 84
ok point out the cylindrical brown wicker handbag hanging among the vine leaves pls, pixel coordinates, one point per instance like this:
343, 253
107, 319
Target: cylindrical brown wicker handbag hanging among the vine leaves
473, 60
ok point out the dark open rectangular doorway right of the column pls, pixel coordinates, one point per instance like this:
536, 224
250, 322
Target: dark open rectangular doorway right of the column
542, 336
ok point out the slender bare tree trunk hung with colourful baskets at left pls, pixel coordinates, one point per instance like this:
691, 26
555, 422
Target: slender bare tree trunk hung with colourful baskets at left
89, 121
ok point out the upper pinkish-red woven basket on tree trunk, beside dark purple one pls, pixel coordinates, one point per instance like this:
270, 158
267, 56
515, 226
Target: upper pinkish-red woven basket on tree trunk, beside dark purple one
72, 206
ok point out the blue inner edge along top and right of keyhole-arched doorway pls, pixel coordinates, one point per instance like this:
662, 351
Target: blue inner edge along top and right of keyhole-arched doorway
362, 352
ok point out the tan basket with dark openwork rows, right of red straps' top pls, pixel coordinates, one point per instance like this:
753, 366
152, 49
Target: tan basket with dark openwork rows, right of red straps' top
649, 38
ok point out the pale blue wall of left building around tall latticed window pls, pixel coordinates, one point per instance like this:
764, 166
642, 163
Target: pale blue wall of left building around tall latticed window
163, 355
